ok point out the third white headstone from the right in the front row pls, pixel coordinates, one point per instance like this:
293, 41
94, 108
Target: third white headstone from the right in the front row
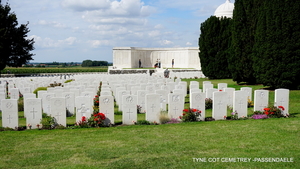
240, 103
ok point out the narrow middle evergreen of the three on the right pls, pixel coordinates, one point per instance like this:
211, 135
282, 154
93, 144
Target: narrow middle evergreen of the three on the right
244, 24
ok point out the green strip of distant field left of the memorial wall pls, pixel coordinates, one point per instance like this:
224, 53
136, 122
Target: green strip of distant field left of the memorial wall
54, 70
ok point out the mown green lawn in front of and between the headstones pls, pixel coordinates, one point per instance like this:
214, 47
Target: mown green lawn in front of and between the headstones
159, 146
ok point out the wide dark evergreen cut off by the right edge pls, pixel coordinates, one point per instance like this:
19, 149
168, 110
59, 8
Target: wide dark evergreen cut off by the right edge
277, 48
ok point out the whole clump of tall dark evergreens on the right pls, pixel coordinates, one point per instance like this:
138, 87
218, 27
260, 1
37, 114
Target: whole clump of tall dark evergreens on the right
260, 44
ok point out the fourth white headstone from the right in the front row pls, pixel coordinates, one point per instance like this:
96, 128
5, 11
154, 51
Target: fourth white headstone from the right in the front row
220, 100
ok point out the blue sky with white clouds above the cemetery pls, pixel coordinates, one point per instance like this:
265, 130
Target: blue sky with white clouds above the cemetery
77, 30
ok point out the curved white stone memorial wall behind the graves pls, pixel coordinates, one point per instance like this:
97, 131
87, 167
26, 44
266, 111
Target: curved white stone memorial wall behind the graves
128, 57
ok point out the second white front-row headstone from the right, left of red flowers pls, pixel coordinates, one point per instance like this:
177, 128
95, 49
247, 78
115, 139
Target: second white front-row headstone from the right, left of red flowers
261, 99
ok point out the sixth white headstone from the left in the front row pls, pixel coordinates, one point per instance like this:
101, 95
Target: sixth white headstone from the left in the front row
129, 109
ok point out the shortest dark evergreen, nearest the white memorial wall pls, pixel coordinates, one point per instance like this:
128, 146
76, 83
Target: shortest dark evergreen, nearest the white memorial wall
214, 44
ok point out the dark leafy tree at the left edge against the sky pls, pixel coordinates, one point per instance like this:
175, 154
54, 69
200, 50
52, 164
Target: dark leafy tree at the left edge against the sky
15, 47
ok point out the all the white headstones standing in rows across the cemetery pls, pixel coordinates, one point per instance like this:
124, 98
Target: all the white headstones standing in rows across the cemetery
152, 94
